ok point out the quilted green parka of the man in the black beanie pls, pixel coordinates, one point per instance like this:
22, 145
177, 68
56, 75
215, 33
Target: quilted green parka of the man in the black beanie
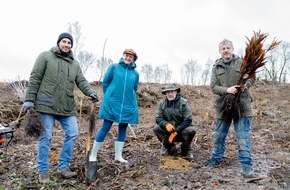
52, 81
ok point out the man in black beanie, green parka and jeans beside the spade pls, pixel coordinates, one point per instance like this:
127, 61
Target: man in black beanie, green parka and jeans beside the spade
50, 92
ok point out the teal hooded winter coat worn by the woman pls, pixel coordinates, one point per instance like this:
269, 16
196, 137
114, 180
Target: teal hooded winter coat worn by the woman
120, 86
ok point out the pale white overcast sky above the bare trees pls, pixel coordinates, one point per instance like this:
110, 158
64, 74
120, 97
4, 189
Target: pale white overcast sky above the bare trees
161, 31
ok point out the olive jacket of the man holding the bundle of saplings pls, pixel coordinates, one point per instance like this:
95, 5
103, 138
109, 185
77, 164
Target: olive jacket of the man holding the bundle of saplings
224, 76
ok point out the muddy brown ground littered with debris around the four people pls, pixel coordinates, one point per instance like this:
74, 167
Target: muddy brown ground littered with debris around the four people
148, 168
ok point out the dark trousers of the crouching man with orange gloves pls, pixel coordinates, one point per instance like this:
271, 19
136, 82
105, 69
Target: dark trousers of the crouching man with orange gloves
185, 137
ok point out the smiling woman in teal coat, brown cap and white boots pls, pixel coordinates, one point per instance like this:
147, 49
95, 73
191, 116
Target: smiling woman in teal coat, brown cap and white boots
120, 104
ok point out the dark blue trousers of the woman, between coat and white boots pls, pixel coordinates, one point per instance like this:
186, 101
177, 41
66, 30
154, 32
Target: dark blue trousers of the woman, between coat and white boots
105, 128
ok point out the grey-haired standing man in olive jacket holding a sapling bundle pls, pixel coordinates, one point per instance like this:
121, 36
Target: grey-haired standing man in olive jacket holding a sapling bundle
224, 79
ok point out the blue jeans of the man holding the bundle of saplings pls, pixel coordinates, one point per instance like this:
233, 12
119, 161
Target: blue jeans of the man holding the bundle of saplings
242, 129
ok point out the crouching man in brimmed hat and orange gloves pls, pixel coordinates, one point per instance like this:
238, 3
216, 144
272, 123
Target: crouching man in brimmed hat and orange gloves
173, 119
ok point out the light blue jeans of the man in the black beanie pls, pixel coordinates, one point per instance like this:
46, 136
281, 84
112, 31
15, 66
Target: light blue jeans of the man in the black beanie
70, 127
